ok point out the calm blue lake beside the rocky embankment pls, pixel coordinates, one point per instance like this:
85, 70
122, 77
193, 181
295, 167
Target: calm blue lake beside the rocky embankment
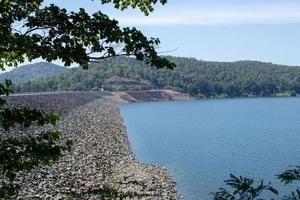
201, 142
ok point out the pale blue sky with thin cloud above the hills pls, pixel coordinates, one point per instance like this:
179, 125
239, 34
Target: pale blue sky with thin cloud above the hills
218, 30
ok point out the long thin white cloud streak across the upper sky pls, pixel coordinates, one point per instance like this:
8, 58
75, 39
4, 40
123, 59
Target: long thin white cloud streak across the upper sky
222, 15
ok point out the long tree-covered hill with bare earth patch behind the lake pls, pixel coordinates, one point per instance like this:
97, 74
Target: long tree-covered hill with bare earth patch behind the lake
192, 76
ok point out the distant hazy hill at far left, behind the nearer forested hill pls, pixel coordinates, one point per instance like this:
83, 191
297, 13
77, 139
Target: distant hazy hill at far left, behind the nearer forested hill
31, 72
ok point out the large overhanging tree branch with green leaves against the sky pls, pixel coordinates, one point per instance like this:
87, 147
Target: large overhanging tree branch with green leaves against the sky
52, 33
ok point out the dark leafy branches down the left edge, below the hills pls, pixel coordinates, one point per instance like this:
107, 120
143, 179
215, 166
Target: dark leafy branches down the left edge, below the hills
18, 154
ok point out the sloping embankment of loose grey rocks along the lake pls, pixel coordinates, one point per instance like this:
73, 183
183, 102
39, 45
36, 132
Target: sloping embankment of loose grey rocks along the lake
100, 158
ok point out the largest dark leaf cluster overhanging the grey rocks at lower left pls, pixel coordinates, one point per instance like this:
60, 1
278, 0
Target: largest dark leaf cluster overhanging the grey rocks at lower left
23, 154
